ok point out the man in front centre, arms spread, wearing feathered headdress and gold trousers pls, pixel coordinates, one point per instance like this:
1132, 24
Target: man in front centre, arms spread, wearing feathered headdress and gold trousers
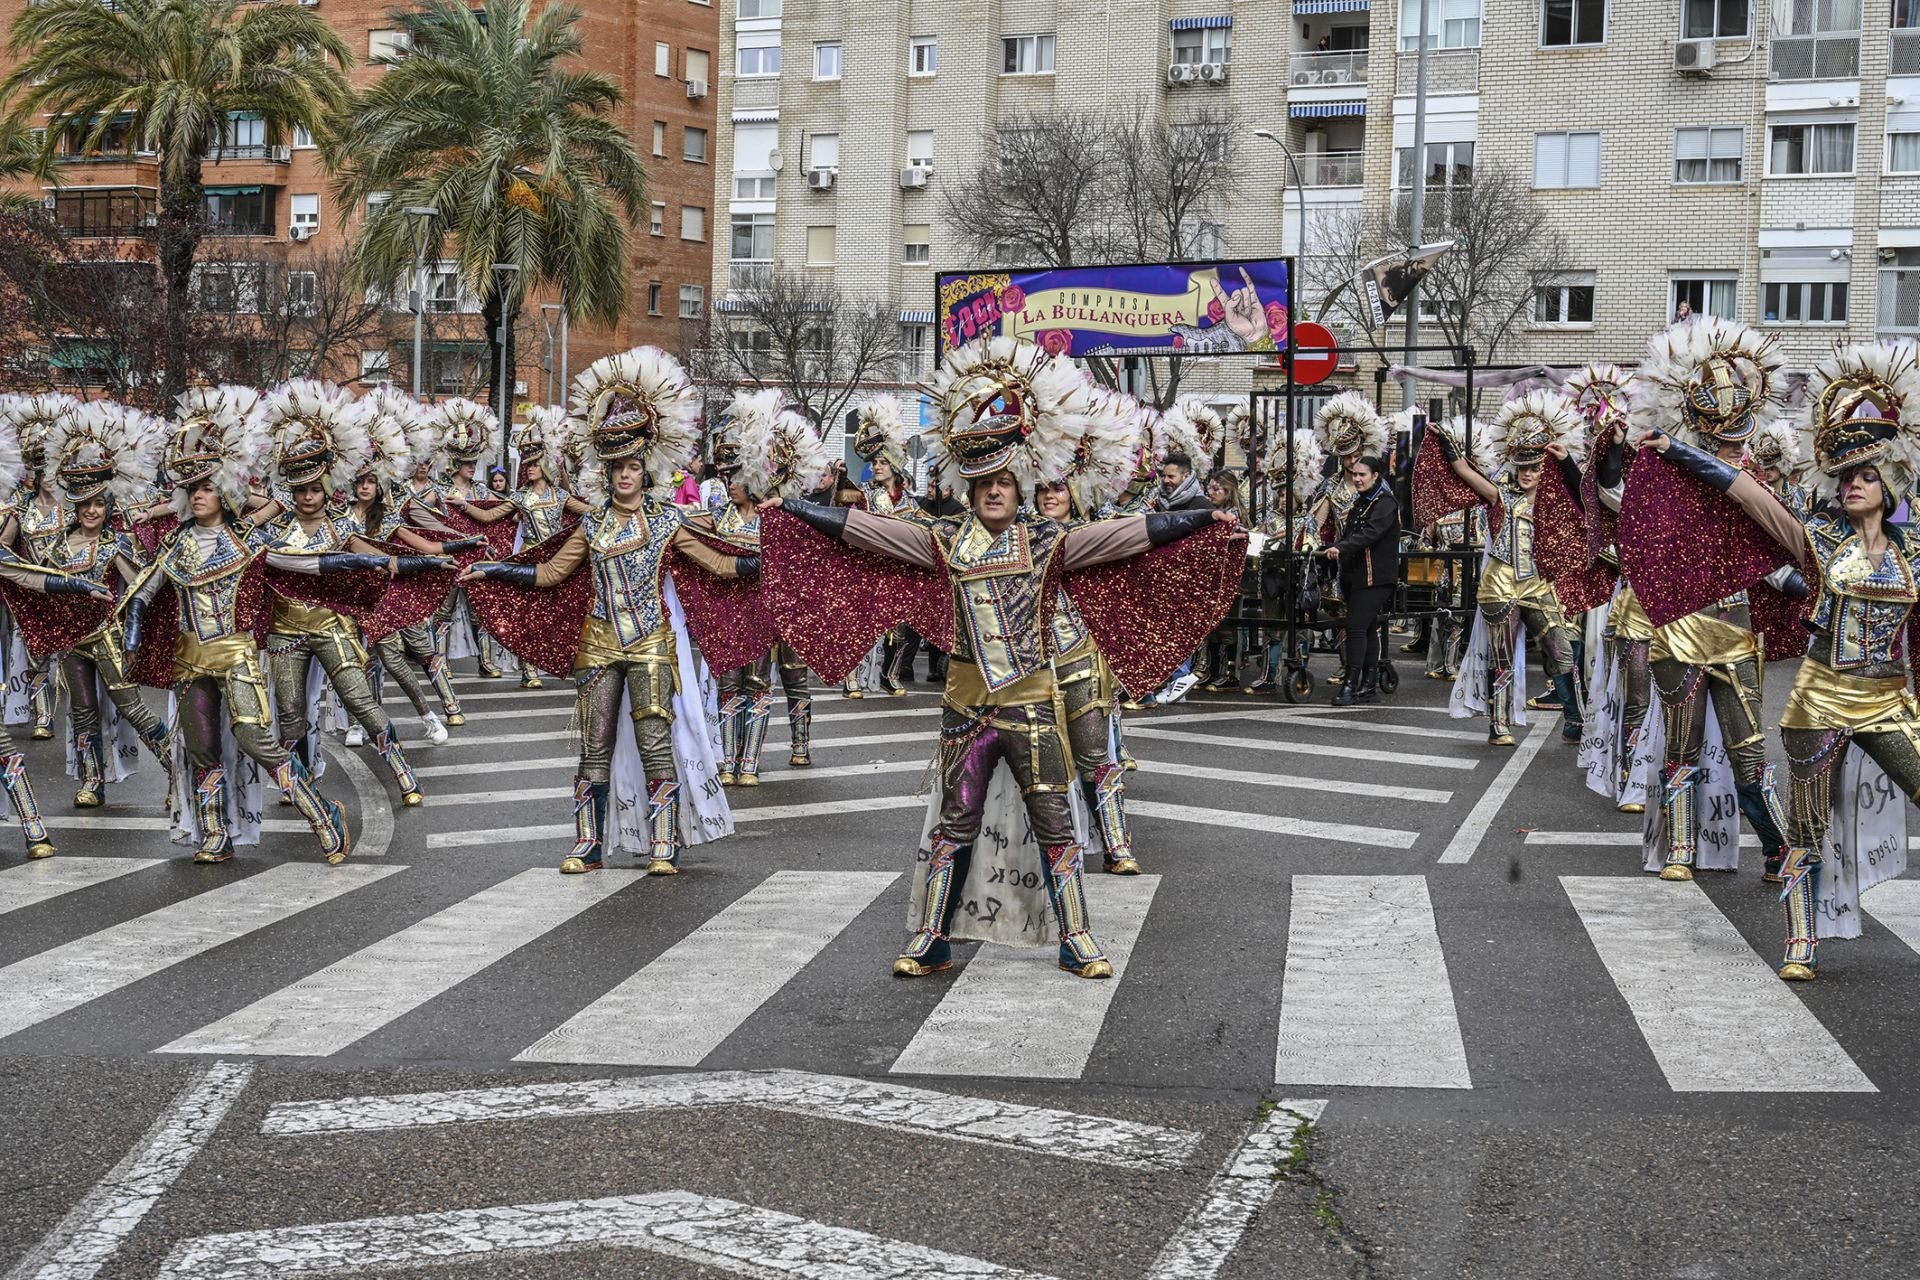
1005, 421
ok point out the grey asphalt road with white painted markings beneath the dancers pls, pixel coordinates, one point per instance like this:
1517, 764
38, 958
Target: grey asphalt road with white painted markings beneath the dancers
1499, 1049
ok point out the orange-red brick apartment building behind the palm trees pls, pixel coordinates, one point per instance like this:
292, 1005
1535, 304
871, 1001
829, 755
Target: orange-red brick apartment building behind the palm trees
270, 208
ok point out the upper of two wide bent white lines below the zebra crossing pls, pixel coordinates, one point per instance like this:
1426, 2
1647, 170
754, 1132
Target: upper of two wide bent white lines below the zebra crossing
880, 1104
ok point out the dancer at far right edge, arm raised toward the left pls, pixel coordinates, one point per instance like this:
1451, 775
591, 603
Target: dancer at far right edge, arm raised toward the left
1850, 701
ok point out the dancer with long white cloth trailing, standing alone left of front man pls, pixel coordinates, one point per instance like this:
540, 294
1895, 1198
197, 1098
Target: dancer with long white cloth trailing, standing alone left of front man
642, 425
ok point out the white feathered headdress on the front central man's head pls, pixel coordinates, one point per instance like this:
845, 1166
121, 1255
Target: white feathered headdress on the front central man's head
1003, 404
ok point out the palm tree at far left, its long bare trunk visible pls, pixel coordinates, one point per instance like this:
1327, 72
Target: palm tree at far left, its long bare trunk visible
176, 72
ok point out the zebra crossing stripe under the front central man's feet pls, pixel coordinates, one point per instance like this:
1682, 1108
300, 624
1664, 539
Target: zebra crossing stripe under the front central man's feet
1015, 1014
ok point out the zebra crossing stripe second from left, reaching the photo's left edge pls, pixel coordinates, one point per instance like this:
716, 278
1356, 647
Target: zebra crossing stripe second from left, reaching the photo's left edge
66, 978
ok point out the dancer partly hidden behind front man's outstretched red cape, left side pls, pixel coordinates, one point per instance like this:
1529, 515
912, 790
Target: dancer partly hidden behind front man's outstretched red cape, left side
769, 452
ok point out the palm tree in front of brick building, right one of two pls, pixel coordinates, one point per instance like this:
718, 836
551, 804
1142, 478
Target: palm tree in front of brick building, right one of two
516, 151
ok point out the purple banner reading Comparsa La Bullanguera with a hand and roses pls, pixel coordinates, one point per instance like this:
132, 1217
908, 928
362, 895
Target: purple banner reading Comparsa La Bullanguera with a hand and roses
1218, 308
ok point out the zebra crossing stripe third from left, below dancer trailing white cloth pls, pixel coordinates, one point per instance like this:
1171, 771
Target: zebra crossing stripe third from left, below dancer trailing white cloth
348, 1001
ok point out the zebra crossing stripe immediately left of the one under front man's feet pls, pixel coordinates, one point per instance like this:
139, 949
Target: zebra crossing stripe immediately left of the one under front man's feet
679, 1010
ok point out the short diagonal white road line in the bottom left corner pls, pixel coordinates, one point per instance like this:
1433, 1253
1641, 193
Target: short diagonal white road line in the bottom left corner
93, 1231
